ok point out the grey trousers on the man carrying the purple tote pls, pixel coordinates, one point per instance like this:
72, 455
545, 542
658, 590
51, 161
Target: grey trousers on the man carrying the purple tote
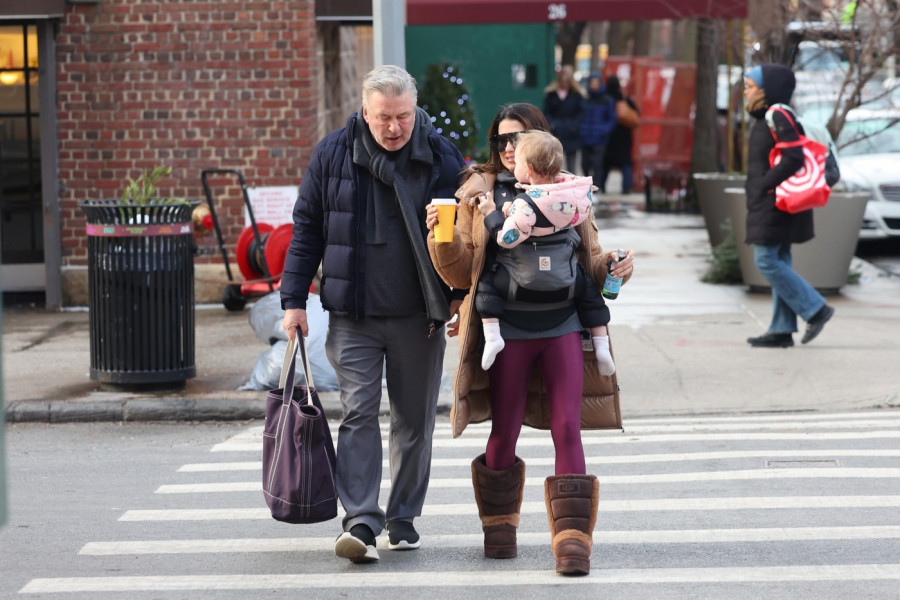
360, 352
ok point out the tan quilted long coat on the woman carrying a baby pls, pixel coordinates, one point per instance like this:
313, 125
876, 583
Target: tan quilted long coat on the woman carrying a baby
460, 263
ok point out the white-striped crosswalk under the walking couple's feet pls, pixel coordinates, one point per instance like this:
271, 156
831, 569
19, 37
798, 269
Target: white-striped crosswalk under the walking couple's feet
686, 483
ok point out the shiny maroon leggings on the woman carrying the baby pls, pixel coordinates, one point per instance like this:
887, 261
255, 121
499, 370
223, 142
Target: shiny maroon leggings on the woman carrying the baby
561, 363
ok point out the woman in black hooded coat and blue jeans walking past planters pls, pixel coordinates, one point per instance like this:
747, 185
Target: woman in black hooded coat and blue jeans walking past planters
770, 230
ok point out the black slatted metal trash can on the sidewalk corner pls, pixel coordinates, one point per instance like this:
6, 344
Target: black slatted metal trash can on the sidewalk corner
141, 293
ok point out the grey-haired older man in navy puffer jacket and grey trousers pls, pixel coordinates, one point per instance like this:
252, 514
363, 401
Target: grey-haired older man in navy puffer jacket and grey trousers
361, 214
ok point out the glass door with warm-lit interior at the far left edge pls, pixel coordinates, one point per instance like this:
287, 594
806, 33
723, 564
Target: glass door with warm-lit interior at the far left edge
21, 223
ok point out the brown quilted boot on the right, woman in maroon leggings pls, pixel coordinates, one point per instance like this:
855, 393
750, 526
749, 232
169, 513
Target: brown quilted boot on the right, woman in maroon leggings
572, 502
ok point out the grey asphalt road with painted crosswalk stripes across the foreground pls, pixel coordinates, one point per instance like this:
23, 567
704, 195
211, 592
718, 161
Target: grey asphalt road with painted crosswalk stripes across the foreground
801, 506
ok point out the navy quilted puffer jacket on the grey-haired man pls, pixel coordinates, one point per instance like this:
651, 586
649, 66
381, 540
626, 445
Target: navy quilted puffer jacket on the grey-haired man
330, 221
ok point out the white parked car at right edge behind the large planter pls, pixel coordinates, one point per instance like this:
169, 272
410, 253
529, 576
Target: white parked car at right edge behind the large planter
869, 157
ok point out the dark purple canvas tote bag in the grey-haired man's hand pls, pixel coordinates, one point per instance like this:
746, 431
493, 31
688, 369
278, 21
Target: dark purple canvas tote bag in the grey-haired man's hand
298, 454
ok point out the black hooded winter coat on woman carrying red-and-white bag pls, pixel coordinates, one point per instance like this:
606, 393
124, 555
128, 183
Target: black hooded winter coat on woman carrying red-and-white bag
767, 225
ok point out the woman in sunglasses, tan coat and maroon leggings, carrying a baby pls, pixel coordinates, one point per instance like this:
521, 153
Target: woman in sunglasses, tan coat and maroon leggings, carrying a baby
542, 378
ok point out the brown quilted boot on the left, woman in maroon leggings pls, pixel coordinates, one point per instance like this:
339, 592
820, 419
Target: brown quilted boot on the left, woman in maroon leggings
498, 495
